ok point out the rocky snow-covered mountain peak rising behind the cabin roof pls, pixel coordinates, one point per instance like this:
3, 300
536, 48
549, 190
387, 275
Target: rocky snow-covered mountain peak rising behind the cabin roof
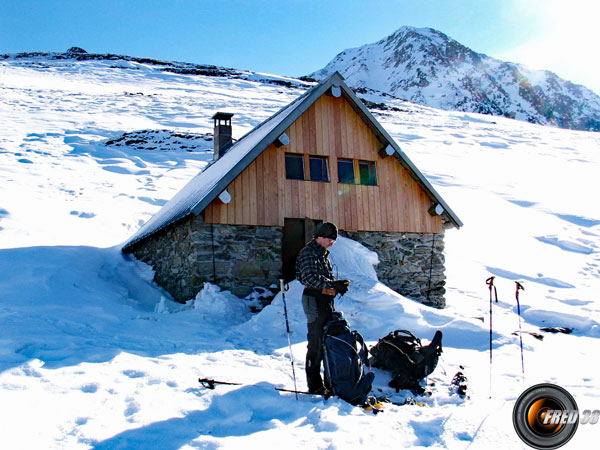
424, 66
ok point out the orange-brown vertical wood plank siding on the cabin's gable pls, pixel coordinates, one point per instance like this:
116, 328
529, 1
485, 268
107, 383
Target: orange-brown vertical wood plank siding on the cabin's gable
261, 194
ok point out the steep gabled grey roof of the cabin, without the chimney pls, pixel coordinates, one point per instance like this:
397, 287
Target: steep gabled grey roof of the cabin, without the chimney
214, 179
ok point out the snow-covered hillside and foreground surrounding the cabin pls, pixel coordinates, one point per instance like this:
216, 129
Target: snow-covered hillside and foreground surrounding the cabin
94, 355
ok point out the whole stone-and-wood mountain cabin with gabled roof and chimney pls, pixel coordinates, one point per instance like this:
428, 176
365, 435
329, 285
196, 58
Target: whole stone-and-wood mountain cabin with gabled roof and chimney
241, 222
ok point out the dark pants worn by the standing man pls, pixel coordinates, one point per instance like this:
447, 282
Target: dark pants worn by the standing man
318, 309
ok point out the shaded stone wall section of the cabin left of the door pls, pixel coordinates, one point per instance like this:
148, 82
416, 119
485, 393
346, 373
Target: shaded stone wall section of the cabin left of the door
191, 252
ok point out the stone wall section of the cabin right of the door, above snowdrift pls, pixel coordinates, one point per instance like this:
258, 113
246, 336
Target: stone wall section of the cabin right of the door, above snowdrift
412, 264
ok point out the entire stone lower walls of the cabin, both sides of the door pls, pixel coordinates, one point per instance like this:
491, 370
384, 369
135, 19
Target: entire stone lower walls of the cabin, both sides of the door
240, 257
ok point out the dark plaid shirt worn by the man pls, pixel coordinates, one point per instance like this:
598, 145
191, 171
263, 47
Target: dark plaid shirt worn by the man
313, 268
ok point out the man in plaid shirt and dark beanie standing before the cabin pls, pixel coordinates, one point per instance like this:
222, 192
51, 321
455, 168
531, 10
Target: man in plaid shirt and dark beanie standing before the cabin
314, 271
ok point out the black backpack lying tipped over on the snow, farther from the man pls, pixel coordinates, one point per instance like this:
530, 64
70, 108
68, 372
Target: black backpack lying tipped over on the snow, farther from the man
401, 353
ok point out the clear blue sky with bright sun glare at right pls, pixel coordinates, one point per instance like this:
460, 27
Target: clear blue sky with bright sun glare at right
296, 37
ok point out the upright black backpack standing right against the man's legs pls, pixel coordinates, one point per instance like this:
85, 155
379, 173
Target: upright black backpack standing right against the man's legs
345, 356
